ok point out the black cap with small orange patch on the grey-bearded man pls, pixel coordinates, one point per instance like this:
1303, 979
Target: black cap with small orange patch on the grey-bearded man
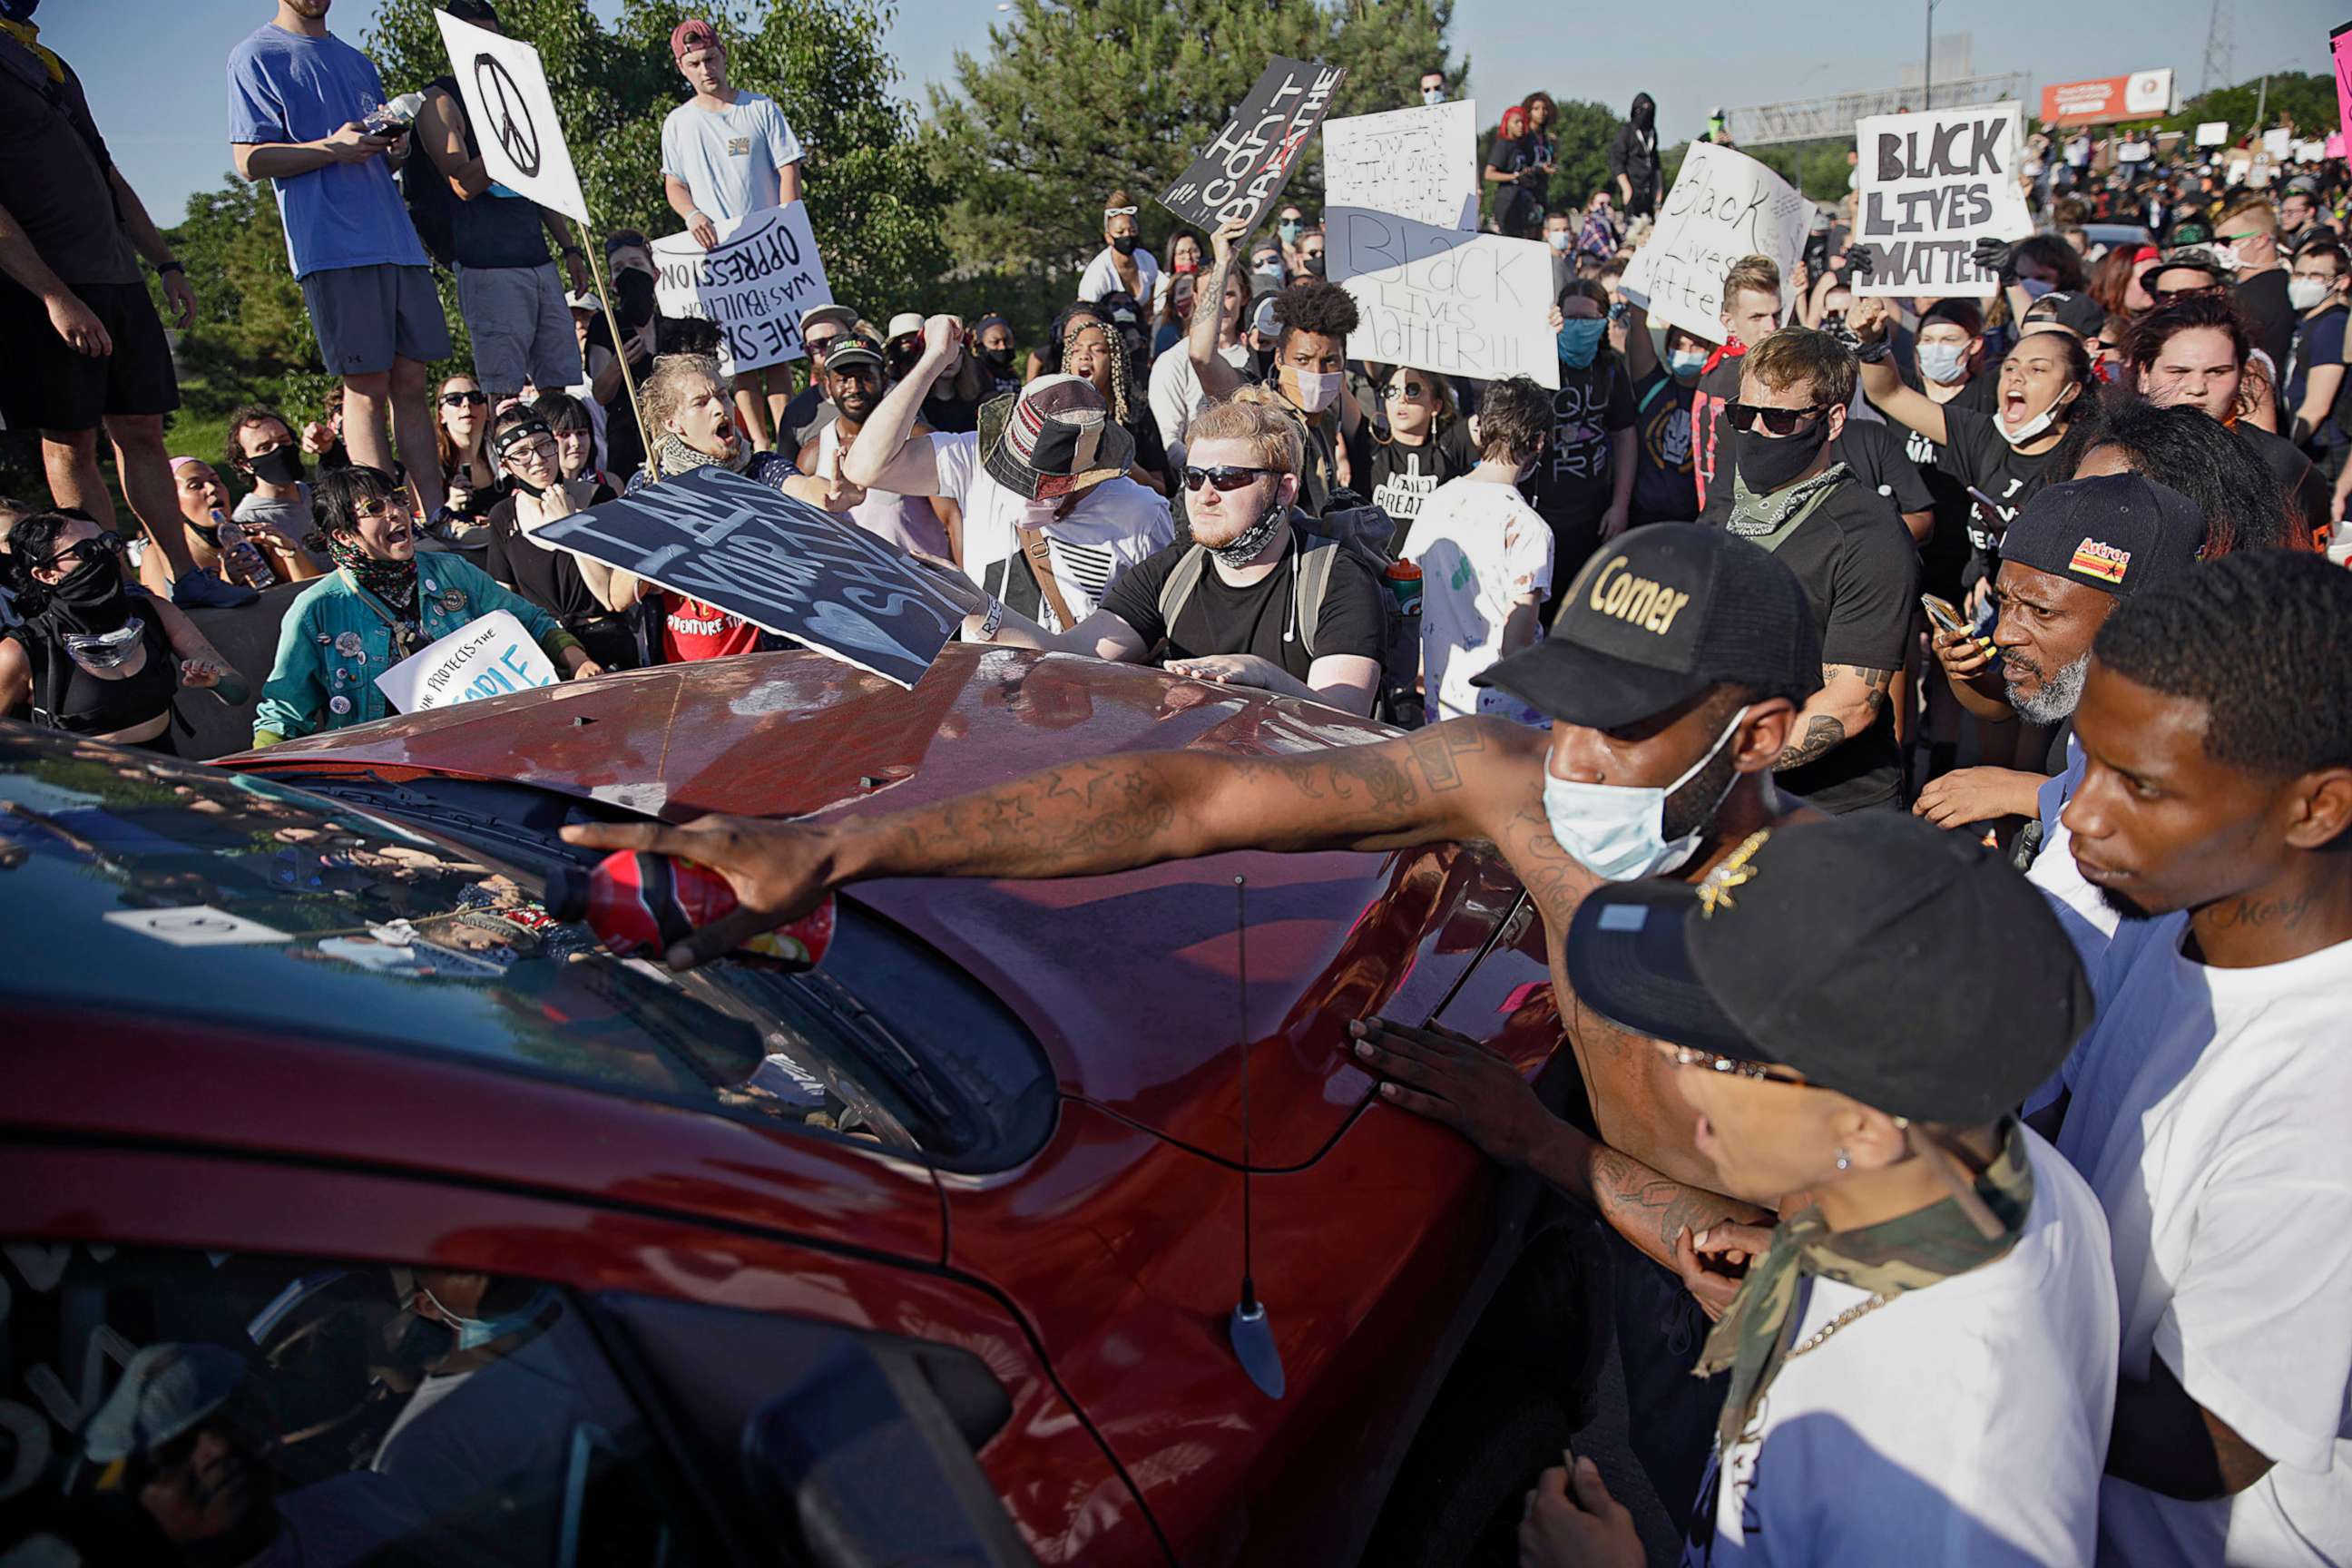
2120, 535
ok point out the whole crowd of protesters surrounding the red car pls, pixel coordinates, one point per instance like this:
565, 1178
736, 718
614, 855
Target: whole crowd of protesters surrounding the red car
1923, 725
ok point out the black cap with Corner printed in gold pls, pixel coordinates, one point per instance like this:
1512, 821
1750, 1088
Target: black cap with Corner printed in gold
1662, 615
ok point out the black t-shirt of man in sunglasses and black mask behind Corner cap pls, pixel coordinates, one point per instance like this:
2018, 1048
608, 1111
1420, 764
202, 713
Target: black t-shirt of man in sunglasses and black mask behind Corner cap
1859, 570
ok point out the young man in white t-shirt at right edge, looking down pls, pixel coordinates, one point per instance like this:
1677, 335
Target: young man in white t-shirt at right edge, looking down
2207, 1104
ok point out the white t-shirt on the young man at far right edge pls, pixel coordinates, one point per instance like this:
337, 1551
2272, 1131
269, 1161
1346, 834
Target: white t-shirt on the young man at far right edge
2210, 1118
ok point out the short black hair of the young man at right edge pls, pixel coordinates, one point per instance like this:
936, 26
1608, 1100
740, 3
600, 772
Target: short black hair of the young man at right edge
2264, 641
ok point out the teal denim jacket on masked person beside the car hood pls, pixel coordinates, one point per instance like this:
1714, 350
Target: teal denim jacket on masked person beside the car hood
335, 645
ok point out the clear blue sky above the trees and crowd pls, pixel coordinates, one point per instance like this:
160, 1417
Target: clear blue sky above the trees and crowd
154, 67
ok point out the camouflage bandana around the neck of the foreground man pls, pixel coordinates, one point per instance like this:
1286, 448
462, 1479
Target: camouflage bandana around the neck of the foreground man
1904, 1254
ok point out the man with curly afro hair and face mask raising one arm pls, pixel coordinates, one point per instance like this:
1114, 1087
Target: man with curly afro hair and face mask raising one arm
1309, 373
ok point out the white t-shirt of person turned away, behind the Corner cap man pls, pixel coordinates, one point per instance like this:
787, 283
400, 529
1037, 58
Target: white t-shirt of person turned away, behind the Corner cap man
1478, 547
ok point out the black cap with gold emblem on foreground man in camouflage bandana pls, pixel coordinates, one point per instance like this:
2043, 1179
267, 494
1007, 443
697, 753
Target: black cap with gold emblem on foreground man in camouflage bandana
1887, 960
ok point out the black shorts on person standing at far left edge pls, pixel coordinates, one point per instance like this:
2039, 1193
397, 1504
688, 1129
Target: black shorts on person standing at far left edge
51, 387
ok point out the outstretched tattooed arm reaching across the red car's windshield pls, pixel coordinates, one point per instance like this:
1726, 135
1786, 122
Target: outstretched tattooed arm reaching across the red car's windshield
1450, 782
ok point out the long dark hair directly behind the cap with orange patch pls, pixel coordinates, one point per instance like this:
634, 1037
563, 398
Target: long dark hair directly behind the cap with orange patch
2193, 455
